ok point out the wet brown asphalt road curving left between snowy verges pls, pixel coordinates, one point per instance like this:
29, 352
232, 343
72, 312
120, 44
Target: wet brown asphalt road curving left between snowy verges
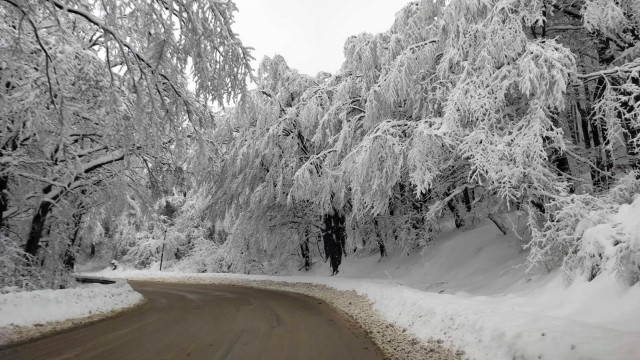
186, 321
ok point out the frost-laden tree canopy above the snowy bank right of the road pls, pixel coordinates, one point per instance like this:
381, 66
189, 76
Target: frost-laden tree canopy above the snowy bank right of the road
462, 110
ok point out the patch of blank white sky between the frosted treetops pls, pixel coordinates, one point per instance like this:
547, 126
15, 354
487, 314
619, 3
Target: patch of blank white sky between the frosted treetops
310, 34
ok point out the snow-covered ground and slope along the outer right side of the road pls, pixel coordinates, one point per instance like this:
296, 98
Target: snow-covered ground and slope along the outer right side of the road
470, 291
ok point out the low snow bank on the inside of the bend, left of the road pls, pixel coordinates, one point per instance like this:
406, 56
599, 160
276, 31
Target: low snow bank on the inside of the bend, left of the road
42, 306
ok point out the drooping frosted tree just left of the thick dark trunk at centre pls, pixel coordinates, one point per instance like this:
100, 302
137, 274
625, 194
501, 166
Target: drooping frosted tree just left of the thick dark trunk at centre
264, 143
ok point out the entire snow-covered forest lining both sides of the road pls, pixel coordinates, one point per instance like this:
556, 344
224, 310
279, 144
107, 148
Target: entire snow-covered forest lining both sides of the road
138, 132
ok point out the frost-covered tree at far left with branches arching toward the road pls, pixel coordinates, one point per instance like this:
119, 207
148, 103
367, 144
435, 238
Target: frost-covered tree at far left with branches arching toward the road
89, 84
